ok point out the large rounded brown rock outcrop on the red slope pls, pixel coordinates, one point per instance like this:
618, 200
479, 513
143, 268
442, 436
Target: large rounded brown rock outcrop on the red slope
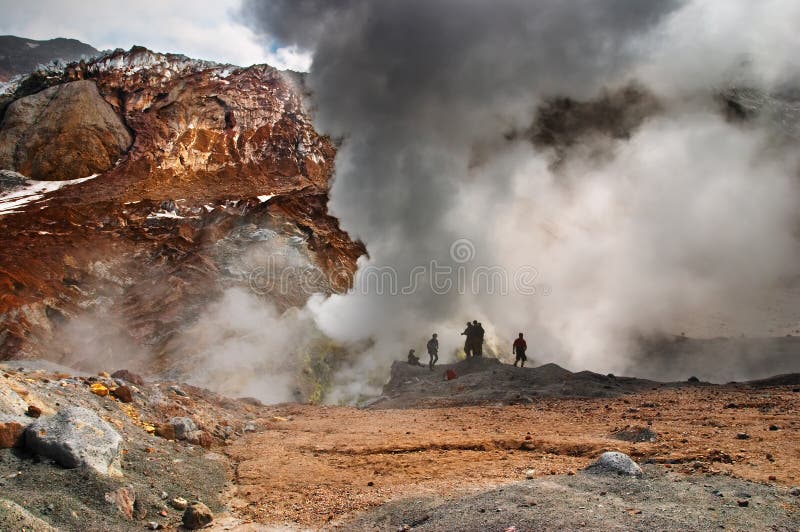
63, 132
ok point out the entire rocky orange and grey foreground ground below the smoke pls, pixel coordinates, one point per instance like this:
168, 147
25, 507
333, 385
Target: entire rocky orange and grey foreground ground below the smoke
712, 456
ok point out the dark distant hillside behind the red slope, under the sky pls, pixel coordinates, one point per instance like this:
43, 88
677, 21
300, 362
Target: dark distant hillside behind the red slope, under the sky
20, 56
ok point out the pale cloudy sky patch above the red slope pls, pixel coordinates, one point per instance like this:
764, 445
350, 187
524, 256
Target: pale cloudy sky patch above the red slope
203, 29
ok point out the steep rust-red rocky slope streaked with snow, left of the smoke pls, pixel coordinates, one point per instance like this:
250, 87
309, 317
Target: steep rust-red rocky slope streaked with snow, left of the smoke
224, 171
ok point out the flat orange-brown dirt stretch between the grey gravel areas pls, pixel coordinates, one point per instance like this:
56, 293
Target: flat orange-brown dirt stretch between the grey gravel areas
317, 465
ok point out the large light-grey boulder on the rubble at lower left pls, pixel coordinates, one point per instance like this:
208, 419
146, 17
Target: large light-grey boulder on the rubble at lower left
76, 437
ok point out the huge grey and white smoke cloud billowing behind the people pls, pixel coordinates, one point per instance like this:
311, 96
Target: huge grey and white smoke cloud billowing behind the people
425, 94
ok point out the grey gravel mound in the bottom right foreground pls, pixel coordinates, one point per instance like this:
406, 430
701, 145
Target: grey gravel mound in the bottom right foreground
658, 501
